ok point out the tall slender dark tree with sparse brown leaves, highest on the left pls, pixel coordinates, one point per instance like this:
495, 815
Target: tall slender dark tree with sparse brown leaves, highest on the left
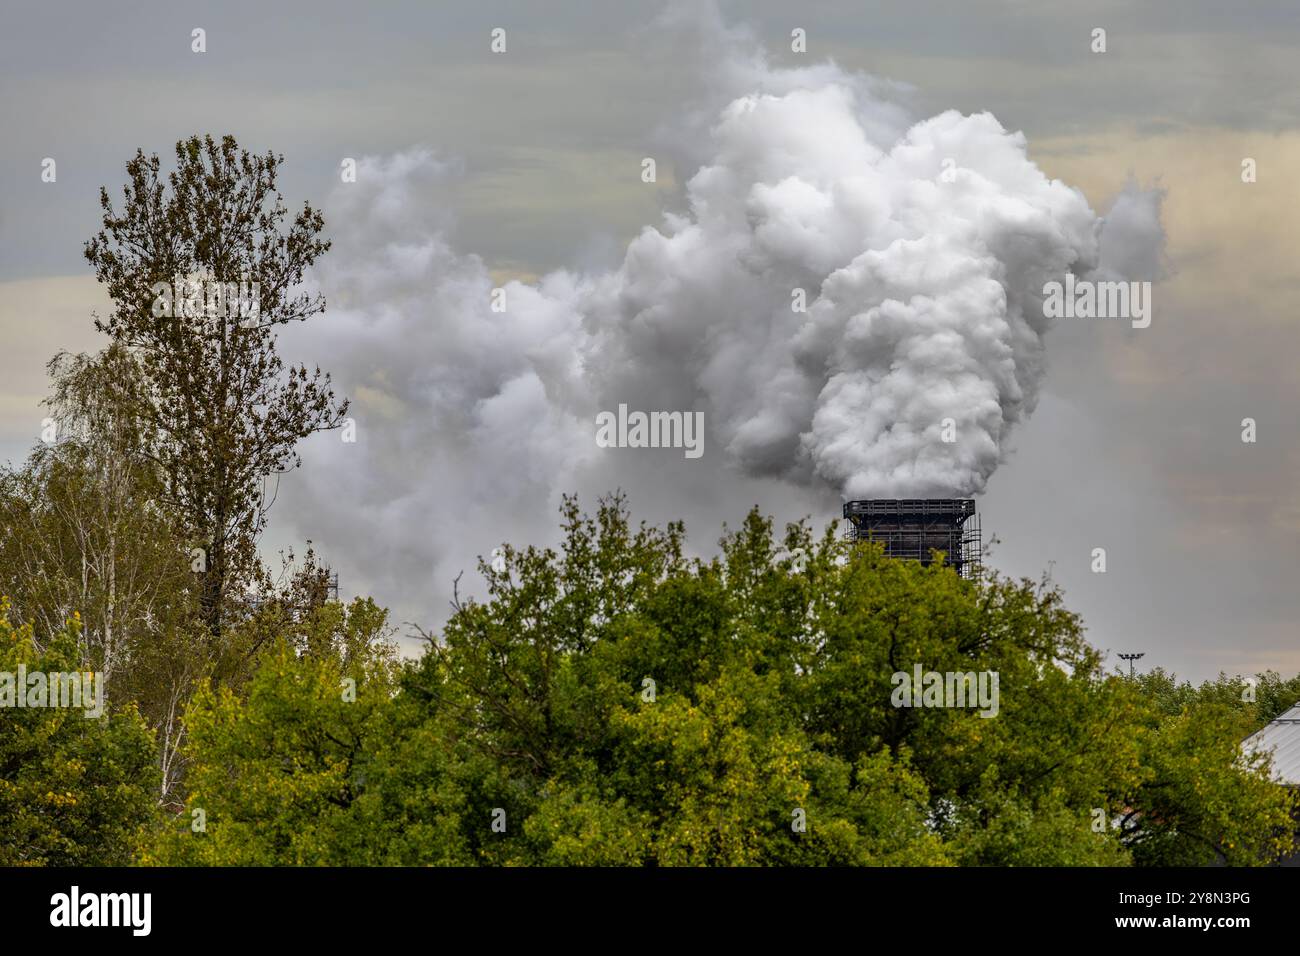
202, 271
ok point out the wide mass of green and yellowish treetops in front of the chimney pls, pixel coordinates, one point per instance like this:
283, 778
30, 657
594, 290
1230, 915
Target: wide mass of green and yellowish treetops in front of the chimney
613, 703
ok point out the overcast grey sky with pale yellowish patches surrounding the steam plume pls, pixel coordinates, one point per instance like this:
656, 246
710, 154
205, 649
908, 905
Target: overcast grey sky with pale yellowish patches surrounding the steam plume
1136, 445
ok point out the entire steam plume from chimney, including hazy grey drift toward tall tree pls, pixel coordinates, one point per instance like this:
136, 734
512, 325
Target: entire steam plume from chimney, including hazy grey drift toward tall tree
920, 249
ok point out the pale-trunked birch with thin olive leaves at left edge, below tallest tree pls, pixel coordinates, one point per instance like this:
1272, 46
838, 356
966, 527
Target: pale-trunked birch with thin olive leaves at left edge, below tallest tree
85, 529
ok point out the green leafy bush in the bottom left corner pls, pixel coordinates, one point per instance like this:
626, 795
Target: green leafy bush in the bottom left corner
75, 790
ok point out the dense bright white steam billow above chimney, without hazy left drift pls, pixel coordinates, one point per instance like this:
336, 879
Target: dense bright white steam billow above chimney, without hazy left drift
925, 296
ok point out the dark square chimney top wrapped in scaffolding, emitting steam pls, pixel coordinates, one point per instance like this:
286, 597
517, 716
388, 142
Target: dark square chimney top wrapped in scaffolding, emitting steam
915, 527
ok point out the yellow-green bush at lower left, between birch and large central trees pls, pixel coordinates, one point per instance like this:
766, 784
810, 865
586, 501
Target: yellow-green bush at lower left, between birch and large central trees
280, 767
